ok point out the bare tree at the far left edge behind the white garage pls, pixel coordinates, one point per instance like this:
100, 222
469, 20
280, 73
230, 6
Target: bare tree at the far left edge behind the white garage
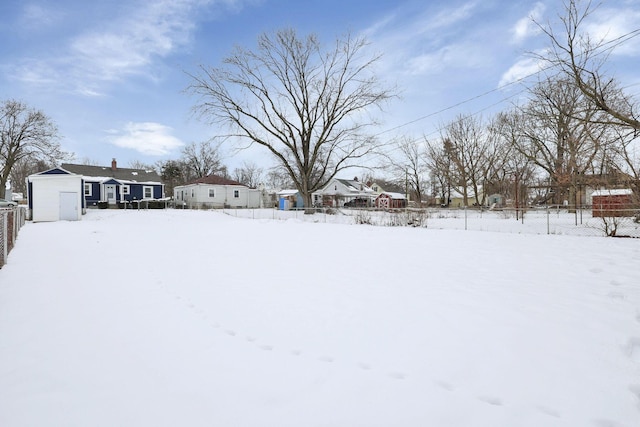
26, 134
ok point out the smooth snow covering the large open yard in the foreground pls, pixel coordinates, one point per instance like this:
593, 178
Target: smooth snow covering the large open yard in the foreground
195, 318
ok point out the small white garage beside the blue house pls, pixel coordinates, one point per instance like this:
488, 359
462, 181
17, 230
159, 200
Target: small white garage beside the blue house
55, 195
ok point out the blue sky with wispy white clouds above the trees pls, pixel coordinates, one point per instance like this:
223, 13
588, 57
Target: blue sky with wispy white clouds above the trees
112, 73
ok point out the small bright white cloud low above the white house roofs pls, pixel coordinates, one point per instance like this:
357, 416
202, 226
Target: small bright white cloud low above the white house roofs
148, 138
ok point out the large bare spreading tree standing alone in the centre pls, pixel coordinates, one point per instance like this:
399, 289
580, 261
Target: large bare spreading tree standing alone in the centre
305, 105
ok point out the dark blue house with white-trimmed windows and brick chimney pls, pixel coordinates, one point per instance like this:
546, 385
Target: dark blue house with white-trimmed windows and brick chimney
115, 185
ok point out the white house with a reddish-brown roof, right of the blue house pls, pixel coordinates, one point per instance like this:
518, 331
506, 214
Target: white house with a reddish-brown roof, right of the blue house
216, 192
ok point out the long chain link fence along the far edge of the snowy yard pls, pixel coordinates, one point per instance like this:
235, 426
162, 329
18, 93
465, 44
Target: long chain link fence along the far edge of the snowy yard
557, 220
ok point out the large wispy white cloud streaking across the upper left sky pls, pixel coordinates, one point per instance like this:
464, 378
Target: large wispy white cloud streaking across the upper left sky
128, 44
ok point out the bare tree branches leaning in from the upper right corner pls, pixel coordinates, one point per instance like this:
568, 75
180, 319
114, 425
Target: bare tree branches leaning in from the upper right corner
582, 59
